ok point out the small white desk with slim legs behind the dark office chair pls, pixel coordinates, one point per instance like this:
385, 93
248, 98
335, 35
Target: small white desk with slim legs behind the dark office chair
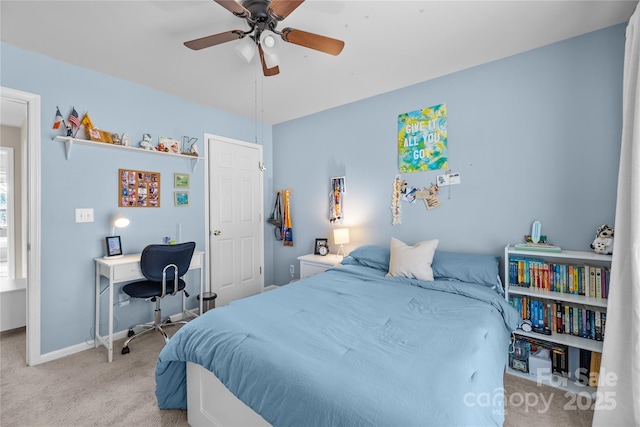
126, 269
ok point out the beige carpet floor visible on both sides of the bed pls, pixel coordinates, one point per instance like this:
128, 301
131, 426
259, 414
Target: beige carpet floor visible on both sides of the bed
84, 390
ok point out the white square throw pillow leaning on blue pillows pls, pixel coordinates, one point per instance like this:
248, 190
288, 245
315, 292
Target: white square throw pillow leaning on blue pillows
412, 261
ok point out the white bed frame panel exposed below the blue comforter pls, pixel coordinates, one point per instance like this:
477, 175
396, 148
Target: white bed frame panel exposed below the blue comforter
210, 403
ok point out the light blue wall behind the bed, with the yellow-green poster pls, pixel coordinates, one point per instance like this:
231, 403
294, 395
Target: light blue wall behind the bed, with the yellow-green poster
534, 136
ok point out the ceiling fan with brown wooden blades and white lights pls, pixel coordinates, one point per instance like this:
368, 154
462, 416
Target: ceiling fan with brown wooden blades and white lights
263, 16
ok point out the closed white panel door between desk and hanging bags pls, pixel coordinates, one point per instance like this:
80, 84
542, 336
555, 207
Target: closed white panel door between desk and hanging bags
236, 235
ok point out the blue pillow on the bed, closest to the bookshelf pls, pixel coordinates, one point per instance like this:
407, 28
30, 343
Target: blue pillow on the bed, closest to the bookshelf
472, 268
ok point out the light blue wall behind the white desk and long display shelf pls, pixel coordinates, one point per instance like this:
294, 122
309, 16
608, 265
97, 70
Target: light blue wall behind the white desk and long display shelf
90, 180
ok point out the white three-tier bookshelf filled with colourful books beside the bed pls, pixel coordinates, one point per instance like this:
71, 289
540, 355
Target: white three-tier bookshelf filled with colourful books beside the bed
565, 294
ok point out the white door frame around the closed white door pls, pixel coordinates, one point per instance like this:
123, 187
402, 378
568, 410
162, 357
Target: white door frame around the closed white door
260, 148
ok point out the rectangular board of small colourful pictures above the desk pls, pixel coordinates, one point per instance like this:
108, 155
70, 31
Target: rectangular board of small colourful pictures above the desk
138, 189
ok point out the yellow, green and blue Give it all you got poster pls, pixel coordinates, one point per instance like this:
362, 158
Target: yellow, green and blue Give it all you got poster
422, 140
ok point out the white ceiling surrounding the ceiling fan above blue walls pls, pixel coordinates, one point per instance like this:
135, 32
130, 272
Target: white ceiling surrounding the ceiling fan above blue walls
388, 45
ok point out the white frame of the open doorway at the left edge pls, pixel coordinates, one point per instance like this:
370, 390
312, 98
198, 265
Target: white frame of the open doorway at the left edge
33, 207
